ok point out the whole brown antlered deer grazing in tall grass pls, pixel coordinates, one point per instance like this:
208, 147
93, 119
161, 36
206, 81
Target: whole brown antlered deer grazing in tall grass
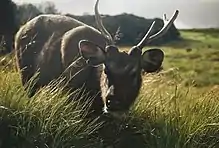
49, 44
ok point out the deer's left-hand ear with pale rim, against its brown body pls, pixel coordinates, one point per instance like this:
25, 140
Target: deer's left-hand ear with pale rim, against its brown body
92, 53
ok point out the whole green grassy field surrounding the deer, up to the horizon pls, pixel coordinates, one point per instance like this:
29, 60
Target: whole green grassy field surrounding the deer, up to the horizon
177, 108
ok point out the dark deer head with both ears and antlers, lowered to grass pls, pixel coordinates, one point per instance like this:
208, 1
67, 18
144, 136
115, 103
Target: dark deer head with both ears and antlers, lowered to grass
121, 76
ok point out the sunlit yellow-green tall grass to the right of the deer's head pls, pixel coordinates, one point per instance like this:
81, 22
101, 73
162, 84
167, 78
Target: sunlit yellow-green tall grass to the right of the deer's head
178, 116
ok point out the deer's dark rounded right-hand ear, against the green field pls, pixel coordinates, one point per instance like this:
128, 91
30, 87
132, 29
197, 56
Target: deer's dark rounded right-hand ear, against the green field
152, 60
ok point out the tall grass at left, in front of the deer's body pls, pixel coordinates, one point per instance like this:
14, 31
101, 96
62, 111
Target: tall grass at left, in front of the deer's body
46, 120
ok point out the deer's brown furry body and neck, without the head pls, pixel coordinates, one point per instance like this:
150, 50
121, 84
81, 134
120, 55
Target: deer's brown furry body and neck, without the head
50, 43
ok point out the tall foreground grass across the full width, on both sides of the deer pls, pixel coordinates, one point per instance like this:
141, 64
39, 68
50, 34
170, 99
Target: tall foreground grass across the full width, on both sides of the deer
166, 114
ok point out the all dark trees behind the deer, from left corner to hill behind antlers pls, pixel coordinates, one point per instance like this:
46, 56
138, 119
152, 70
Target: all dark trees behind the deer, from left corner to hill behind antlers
132, 28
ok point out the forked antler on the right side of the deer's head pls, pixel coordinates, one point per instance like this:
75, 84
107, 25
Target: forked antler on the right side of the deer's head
167, 24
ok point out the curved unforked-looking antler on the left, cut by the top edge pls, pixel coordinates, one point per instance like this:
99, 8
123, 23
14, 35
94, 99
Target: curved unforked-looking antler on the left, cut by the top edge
99, 22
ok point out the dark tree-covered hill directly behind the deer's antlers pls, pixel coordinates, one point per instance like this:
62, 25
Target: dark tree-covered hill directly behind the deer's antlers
132, 28
